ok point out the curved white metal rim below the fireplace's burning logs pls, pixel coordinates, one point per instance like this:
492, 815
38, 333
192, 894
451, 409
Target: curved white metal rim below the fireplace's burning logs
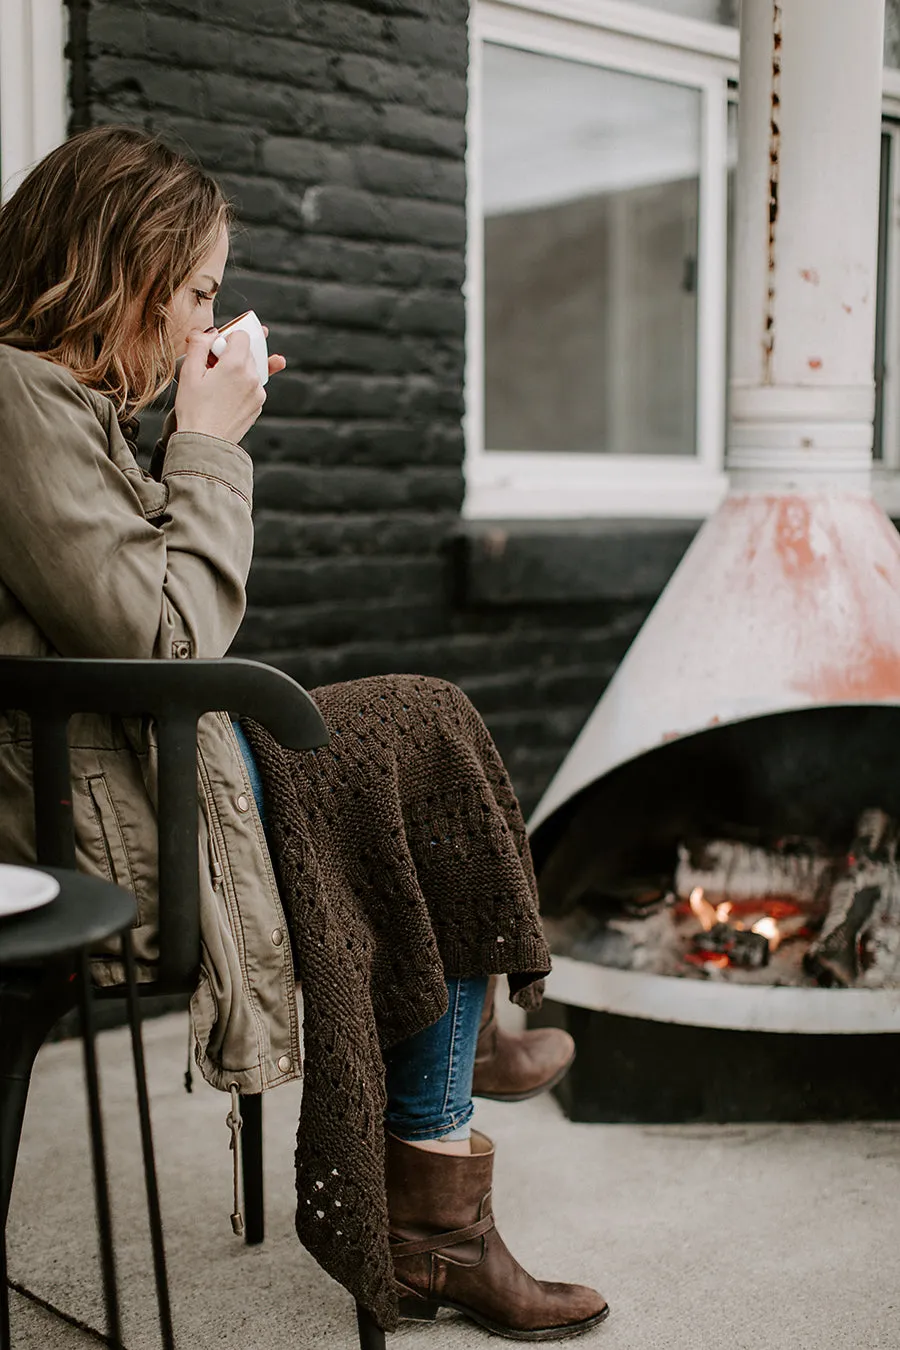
748, 1008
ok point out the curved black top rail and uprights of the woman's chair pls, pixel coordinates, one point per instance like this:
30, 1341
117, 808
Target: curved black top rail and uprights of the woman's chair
175, 695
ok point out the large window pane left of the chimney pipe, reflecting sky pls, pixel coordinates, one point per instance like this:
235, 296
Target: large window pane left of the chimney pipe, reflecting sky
590, 191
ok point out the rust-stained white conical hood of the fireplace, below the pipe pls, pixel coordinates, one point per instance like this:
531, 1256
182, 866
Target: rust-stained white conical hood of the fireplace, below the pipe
782, 603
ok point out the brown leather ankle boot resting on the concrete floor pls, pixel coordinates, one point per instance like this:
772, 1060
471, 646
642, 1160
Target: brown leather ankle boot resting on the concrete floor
449, 1255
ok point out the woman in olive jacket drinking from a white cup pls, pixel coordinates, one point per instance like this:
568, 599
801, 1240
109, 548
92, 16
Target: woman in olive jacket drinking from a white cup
400, 851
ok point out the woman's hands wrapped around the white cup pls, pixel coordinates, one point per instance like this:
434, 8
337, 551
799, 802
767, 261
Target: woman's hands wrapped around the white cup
223, 400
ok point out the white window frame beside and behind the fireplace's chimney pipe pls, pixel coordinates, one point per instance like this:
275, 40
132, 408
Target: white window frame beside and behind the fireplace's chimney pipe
639, 40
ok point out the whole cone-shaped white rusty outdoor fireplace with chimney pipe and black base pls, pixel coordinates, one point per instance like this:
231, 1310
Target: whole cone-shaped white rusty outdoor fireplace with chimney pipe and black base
737, 790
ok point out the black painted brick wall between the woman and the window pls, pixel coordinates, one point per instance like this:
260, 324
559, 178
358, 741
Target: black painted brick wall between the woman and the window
338, 129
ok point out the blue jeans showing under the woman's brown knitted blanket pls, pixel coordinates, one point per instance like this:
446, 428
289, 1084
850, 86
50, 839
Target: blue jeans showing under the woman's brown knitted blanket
430, 1077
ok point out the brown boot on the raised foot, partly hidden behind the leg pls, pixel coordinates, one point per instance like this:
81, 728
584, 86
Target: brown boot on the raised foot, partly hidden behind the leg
515, 1069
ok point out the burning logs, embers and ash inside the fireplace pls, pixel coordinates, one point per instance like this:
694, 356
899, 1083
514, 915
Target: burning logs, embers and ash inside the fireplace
782, 912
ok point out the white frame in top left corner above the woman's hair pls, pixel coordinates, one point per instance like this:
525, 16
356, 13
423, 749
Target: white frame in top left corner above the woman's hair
34, 110
